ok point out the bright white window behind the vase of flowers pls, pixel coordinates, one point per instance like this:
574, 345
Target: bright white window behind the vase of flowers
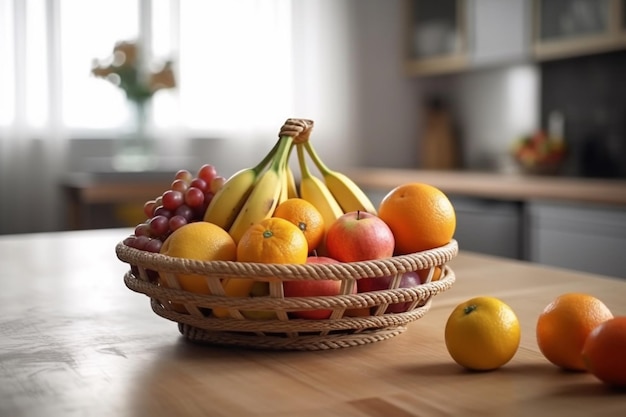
232, 63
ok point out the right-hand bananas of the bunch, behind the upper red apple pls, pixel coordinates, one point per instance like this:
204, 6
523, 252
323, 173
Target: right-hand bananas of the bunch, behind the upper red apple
338, 191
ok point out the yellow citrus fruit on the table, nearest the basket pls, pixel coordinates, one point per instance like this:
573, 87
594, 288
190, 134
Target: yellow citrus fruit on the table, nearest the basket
482, 333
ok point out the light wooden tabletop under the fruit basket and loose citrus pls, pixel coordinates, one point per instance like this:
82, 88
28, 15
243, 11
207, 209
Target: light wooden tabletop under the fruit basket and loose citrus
76, 342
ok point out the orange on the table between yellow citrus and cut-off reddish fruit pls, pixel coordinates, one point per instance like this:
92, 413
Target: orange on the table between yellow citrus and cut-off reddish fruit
563, 327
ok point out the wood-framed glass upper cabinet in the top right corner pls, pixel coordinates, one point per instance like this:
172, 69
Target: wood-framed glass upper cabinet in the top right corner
566, 28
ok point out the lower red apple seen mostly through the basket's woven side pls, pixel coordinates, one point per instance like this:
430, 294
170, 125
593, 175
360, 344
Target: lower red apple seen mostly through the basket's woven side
312, 289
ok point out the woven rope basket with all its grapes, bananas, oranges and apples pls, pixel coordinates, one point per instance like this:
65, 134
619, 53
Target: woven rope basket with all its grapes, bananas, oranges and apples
275, 259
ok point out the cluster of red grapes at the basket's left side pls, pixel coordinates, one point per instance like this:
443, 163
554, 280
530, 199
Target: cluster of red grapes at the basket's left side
185, 202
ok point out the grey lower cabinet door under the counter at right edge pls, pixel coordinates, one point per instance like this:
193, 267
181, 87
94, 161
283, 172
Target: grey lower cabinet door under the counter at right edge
586, 238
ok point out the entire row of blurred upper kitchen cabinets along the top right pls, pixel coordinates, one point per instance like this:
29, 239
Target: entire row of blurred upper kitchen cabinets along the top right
455, 35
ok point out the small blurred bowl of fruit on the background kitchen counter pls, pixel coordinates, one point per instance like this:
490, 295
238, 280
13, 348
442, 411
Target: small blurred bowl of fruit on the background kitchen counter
539, 153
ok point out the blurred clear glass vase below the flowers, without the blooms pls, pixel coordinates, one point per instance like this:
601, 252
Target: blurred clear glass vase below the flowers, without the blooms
135, 150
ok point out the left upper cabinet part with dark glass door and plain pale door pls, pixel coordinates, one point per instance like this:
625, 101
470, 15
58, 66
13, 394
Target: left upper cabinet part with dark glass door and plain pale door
455, 35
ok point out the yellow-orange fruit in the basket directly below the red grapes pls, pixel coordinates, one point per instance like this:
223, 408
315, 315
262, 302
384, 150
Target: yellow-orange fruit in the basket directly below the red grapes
200, 241
